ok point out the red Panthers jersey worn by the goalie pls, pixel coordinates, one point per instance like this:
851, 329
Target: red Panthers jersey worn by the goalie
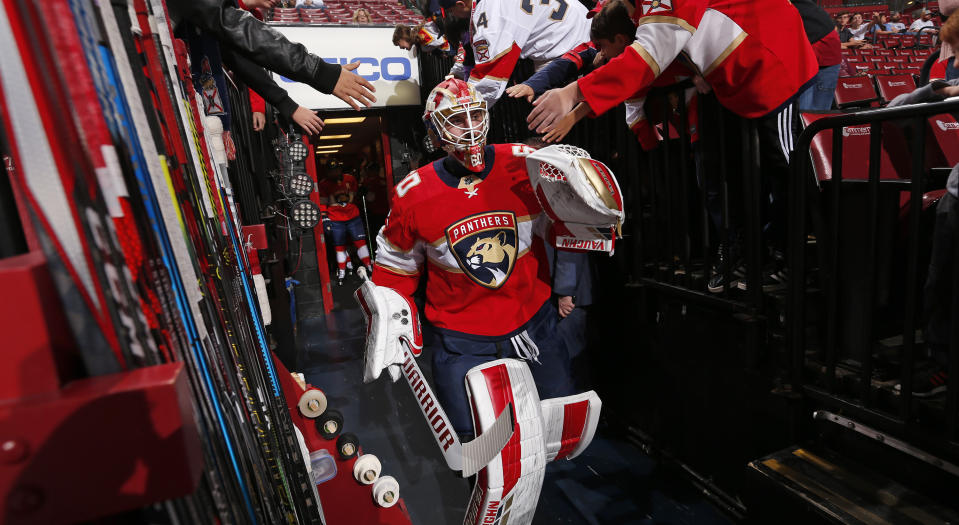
488, 274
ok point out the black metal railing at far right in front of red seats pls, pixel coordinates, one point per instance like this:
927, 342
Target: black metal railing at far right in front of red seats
855, 289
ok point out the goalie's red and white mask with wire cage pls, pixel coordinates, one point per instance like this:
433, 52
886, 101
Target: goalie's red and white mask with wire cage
457, 120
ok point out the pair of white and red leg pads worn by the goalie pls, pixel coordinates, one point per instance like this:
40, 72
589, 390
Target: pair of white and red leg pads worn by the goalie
507, 489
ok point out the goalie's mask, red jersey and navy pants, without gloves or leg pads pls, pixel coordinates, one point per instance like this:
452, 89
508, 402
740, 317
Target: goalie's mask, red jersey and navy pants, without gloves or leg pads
473, 220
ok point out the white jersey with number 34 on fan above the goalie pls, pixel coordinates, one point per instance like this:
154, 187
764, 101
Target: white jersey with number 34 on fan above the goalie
506, 30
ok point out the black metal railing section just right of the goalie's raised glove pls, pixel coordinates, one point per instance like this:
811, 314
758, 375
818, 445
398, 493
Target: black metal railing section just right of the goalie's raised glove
697, 193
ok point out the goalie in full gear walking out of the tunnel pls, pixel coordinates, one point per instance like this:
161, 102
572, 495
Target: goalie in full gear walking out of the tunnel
479, 219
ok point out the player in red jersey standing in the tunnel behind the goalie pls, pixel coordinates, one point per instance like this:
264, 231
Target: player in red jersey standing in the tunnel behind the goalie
337, 191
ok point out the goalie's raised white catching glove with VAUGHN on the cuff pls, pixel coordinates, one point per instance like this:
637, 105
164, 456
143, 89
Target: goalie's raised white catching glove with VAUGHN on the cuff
580, 195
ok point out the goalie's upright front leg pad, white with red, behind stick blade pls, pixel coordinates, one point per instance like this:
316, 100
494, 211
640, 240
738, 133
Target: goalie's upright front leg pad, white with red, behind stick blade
507, 489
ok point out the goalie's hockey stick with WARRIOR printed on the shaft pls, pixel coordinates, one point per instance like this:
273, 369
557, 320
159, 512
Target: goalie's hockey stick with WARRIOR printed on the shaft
466, 458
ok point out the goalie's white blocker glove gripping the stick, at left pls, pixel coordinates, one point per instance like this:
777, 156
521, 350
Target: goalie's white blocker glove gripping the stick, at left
391, 321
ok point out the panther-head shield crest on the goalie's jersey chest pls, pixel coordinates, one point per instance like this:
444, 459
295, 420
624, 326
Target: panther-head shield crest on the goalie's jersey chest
485, 246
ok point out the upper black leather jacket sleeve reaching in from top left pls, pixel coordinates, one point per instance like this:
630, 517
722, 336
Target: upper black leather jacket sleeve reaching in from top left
239, 31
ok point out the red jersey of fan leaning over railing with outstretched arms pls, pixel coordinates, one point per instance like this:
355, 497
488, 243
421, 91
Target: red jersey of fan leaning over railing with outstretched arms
755, 55
